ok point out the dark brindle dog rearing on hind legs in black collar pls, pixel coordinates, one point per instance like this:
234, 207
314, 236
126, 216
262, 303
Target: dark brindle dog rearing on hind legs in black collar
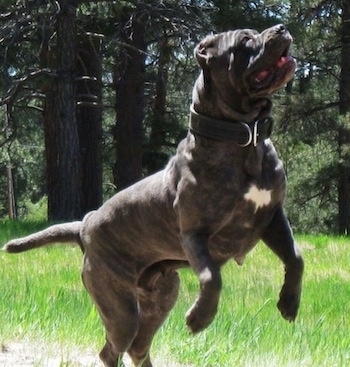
217, 197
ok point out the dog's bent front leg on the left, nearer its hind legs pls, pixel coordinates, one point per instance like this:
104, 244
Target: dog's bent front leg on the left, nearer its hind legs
203, 311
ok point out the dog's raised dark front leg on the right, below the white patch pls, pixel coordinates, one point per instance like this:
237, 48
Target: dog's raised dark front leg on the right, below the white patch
278, 236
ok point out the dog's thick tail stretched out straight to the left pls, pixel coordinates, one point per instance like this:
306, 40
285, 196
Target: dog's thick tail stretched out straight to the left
59, 233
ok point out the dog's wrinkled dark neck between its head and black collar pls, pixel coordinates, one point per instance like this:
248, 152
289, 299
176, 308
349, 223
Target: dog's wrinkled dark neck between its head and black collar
208, 101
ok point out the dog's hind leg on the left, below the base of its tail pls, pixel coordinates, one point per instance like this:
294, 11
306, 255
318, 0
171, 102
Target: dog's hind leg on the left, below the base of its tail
115, 297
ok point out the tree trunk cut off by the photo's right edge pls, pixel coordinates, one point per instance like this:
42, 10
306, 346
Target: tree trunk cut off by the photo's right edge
344, 130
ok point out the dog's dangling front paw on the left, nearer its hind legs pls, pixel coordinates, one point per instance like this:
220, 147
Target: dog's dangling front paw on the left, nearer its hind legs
200, 315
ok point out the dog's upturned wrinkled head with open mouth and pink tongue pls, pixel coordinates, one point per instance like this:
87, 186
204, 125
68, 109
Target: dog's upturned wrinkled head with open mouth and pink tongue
255, 64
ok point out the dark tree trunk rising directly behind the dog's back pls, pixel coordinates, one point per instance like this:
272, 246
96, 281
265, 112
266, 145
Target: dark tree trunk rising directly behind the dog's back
130, 102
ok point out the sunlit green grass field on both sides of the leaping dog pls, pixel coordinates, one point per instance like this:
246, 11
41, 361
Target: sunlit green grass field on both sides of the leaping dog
42, 300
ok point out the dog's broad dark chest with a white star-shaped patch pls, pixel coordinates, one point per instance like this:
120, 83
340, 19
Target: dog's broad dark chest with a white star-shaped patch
233, 198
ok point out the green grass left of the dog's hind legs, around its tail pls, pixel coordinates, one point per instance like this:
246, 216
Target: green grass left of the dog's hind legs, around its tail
42, 295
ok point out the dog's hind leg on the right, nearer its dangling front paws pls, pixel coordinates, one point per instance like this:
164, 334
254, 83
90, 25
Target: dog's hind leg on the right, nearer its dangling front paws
158, 291
